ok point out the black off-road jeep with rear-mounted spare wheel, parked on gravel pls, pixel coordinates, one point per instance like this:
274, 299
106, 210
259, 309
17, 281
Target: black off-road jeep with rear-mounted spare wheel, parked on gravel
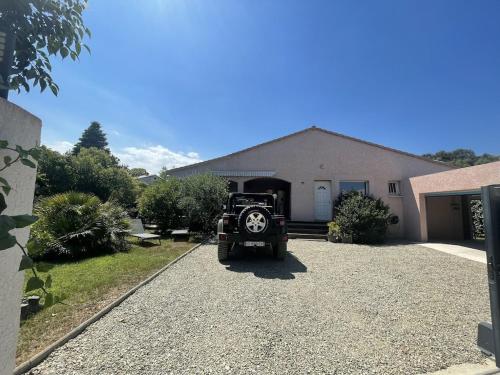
251, 220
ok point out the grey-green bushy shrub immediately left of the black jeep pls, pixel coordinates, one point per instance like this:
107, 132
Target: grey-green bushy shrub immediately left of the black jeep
202, 198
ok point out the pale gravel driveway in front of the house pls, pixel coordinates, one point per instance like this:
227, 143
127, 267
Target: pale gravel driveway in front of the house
329, 308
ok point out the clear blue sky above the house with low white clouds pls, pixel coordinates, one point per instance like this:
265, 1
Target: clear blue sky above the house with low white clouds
176, 81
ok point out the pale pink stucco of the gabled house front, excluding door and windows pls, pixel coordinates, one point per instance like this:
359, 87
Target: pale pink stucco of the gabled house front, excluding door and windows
316, 155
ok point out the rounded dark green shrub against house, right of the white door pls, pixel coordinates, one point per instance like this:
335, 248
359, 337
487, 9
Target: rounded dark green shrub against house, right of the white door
361, 218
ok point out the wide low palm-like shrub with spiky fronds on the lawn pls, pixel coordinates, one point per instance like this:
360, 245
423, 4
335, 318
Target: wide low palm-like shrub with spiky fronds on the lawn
75, 225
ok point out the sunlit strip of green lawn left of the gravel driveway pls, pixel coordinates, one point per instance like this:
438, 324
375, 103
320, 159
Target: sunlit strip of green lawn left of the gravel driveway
86, 286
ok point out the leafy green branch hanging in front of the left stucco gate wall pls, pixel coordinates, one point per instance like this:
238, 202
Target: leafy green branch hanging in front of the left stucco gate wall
11, 222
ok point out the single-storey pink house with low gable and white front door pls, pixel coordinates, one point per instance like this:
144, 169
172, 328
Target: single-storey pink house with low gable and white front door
310, 168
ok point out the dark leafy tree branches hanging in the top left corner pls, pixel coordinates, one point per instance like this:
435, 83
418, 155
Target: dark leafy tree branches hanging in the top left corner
42, 28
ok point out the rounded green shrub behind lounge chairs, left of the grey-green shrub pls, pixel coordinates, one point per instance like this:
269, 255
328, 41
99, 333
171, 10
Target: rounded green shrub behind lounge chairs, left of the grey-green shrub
159, 204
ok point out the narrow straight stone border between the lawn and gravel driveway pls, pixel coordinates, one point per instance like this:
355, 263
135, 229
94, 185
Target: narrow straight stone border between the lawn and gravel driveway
38, 358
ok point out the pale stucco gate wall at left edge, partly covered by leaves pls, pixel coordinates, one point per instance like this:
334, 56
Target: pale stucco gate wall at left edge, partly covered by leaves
18, 127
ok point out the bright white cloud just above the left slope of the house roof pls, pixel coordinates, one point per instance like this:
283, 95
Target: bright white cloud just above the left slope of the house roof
153, 158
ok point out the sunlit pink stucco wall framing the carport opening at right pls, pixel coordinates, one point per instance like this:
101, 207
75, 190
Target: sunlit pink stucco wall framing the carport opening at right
457, 180
